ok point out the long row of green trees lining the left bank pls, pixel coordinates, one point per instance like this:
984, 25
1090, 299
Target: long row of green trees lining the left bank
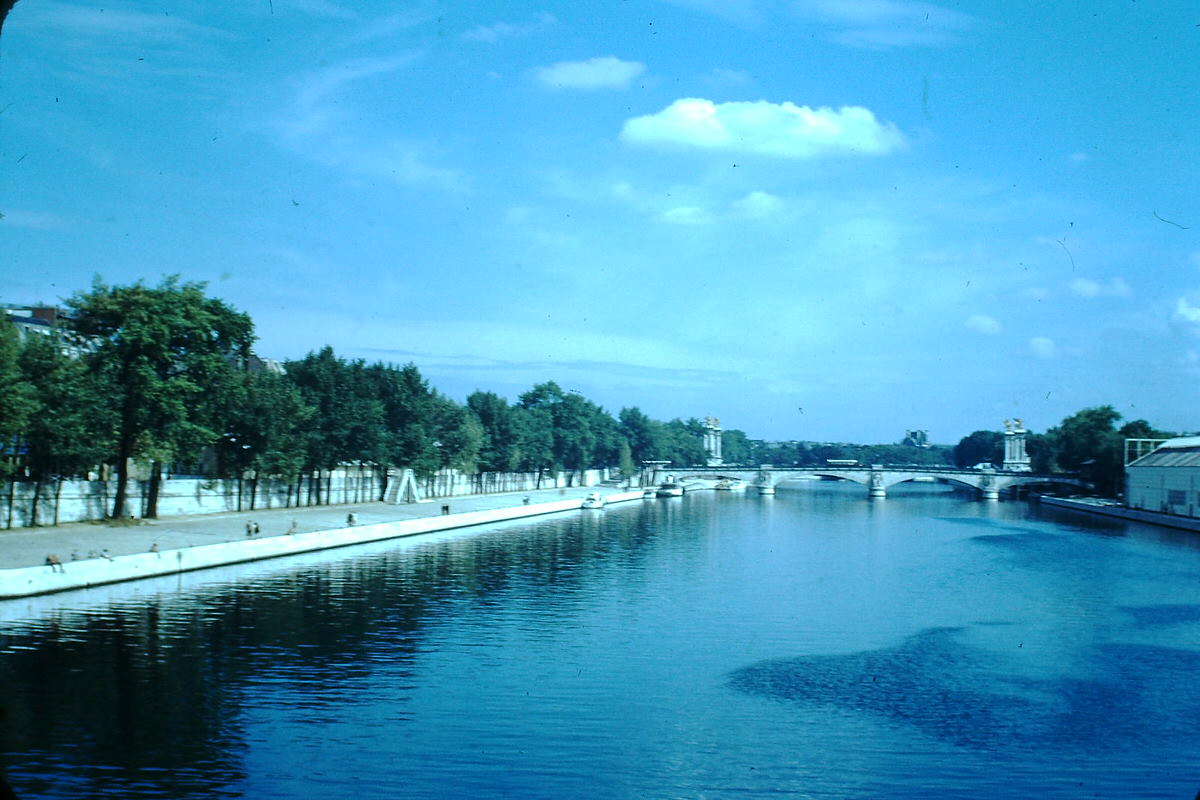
161, 375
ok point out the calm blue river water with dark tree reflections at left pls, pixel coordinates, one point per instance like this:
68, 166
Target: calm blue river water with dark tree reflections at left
815, 645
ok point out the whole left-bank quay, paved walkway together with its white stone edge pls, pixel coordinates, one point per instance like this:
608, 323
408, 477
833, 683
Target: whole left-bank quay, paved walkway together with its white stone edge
44, 561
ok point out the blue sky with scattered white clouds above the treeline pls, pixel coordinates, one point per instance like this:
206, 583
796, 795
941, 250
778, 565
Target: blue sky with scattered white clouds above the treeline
821, 220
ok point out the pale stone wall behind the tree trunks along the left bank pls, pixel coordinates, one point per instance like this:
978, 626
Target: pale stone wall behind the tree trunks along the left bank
63, 502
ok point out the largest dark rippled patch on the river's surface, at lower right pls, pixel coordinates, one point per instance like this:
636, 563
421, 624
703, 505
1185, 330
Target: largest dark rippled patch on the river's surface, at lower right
1133, 697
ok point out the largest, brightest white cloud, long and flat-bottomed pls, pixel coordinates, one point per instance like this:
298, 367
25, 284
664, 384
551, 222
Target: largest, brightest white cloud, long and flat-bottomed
770, 129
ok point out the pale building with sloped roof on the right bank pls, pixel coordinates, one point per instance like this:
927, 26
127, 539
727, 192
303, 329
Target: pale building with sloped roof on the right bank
1167, 480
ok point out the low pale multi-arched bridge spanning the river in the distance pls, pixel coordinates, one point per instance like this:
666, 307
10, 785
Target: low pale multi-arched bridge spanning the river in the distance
878, 478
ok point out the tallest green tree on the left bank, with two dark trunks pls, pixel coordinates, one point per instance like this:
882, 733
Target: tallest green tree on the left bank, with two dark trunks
164, 356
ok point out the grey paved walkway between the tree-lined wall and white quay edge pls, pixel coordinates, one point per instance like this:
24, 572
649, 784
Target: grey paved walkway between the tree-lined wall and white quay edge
29, 546
